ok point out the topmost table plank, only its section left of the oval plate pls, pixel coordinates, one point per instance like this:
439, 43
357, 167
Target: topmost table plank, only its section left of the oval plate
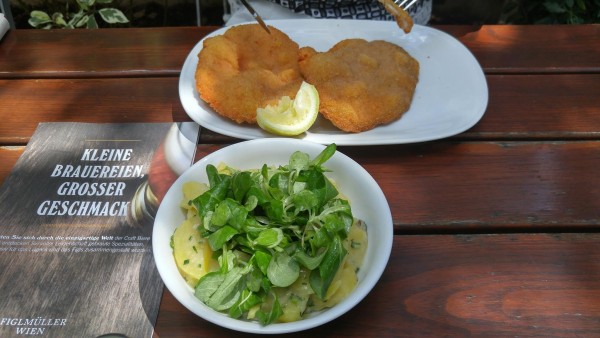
115, 52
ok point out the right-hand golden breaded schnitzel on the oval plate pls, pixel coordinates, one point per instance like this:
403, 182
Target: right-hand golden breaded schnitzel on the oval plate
361, 84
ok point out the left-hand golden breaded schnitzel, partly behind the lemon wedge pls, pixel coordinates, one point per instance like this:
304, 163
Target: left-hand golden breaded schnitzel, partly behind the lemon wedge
246, 68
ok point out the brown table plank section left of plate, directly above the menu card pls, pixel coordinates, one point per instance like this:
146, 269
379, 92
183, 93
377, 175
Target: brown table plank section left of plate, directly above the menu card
25, 103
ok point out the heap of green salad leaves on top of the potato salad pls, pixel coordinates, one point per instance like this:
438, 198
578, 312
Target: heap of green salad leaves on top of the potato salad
265, 226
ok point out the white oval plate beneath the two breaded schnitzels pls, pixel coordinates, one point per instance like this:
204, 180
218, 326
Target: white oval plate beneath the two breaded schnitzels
451, 95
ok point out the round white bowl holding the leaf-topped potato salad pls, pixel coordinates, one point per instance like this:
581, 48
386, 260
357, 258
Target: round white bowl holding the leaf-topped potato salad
366, 199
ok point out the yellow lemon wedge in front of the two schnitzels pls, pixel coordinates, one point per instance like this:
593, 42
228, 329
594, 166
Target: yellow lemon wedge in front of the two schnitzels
291, 118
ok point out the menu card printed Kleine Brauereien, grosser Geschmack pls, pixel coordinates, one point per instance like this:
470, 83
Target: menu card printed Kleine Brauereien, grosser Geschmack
75, 228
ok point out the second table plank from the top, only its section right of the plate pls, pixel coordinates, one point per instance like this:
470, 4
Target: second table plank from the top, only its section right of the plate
559, 107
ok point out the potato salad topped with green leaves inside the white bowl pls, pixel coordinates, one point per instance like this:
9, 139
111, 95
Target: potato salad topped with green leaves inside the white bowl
271, 244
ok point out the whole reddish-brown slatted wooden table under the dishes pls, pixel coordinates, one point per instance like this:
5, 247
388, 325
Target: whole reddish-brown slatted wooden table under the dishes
496, 229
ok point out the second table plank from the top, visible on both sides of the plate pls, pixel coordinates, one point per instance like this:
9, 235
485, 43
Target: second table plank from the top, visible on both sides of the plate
520, 106
